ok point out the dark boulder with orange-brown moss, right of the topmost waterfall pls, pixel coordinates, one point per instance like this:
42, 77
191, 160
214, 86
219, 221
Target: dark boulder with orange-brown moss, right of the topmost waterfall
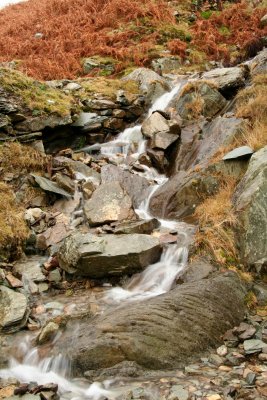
199, 98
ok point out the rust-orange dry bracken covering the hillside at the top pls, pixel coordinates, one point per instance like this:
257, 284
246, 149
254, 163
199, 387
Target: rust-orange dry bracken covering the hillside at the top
130, 32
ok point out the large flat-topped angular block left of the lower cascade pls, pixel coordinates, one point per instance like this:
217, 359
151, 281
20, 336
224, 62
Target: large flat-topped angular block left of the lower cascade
110, 255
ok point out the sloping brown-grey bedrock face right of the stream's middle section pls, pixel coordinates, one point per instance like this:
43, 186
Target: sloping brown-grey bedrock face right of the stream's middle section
194, 175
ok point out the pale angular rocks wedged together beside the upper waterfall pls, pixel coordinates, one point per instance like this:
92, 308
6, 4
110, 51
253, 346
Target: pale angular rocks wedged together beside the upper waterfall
161, 131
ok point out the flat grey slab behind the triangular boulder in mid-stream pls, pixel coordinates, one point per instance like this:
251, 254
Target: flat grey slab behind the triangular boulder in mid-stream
136, 186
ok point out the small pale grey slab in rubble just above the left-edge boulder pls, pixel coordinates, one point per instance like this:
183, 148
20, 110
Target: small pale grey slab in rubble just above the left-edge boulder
30, 268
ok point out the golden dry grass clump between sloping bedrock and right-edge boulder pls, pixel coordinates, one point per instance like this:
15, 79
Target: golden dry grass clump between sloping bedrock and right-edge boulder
217, 219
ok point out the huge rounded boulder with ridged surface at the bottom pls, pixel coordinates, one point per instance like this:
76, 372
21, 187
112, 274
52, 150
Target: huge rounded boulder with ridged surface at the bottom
162, 332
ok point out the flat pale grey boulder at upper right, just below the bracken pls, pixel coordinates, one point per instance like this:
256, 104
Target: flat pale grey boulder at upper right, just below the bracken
226, 78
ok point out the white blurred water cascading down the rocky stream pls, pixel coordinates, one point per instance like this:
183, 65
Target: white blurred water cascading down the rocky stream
153, 281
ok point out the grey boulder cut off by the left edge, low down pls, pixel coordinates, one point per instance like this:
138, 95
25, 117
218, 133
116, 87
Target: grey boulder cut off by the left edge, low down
13, 310
